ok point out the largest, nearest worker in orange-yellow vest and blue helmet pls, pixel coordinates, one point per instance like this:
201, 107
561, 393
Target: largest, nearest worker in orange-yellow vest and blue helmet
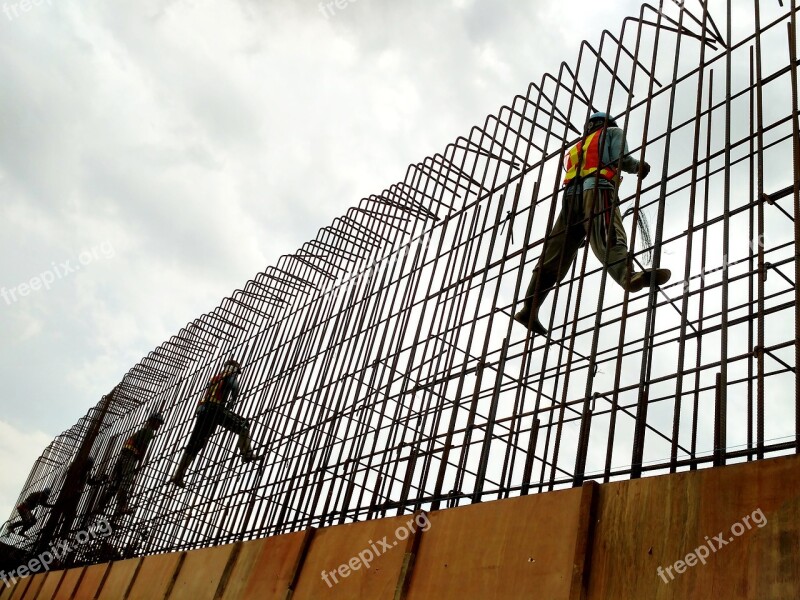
590, 209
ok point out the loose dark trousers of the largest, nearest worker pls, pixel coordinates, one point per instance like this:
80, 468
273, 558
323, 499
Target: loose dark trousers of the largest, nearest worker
593, 213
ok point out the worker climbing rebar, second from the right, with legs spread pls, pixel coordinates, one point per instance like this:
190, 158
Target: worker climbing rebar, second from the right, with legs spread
215, 410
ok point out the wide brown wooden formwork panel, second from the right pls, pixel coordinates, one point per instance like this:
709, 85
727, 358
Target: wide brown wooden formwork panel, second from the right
516, 548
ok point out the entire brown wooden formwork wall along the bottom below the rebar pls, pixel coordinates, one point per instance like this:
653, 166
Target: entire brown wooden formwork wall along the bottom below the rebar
730, 533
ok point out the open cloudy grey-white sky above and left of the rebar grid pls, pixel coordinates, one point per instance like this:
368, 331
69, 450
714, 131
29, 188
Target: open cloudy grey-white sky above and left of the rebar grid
154, 157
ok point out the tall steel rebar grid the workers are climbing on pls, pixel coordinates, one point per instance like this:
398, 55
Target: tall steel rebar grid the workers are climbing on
383, 372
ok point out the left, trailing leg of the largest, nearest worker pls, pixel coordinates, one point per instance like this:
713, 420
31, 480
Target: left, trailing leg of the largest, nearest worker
555, 261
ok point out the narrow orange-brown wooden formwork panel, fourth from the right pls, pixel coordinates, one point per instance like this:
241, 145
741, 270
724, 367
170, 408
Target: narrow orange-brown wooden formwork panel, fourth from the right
264, 568
